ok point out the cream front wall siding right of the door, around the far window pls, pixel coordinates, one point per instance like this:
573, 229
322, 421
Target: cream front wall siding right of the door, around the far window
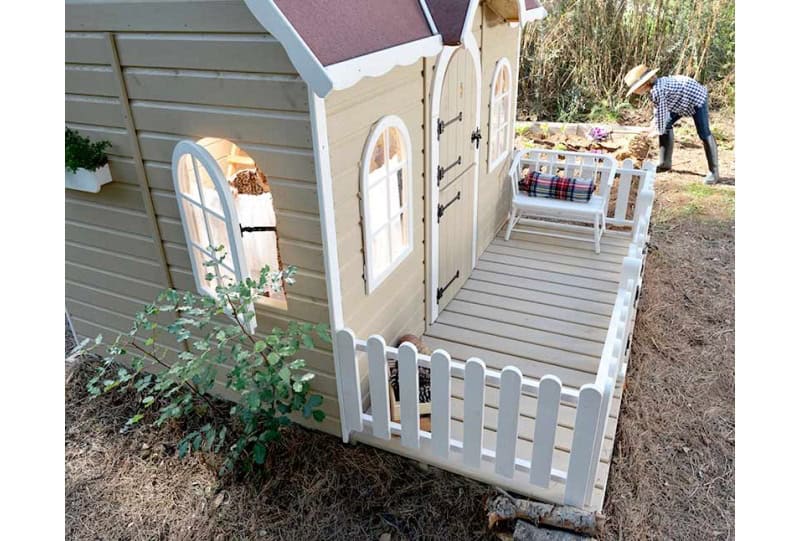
497, 40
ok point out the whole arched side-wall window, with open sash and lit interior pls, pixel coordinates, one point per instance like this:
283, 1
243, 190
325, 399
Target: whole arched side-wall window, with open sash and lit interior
225, 200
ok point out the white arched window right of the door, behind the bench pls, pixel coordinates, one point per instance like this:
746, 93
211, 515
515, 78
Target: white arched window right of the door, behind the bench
500, 123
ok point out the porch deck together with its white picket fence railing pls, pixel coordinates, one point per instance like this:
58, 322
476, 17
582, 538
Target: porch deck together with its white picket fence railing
529, 360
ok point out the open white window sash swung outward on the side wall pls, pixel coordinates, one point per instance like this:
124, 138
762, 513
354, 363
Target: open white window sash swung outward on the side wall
209, 217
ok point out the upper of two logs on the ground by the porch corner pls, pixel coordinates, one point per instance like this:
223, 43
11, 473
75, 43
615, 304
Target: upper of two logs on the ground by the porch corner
504, 507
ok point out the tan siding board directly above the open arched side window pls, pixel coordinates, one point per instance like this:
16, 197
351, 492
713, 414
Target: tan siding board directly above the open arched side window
255, 126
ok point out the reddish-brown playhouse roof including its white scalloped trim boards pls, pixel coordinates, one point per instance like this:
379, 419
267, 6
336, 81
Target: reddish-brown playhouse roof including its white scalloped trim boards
334, 43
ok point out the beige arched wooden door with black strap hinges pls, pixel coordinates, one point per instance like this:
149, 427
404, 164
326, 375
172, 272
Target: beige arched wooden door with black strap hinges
455, 175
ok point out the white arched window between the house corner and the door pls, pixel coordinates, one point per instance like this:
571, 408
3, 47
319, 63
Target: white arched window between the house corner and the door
386, 199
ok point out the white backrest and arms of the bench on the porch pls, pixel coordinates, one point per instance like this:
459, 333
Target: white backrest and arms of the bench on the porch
586, 165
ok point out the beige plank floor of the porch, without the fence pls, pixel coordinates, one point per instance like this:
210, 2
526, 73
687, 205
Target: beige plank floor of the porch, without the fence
544, 305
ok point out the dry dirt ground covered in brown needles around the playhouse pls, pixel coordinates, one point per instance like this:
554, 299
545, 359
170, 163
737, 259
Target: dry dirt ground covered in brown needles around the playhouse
672, 474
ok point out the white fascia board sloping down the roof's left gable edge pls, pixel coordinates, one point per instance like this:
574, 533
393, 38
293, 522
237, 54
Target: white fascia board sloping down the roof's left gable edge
303, 59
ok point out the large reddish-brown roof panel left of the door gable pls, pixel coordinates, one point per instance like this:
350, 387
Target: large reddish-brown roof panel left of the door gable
339, 30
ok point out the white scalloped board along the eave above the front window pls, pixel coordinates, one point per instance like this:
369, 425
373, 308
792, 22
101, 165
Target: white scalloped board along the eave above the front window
347, 73
